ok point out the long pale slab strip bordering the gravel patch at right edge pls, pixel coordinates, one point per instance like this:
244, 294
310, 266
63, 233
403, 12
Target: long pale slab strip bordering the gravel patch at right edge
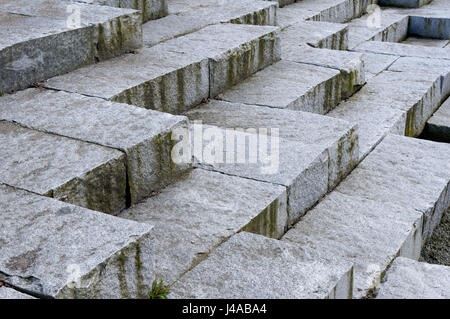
384, 209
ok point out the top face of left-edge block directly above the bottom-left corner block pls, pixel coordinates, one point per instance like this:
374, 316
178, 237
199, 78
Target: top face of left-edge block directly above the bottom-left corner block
41, 162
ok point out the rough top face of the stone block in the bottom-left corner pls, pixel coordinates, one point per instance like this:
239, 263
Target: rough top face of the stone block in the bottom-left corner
44, 239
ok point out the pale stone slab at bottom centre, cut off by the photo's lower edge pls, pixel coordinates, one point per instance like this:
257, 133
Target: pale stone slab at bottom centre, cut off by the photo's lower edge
252, 266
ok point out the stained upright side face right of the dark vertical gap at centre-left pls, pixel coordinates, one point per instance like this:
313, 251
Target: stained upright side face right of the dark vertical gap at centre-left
151, 166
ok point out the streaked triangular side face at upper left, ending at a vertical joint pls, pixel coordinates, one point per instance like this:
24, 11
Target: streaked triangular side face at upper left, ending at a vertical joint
174, 92
